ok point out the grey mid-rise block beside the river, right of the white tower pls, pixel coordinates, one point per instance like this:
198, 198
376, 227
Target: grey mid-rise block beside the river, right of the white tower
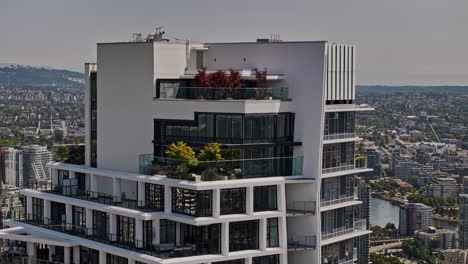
413, 217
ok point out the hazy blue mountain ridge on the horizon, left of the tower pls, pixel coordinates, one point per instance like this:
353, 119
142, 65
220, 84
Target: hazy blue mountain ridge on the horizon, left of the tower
27, 76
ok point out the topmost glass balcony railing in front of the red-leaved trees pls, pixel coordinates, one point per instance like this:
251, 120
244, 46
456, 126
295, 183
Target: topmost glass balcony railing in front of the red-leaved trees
223, 93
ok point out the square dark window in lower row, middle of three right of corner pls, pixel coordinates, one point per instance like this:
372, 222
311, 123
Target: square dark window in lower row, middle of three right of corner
243, 235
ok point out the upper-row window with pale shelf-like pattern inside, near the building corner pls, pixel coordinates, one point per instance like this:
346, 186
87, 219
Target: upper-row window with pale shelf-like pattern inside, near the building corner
190, 202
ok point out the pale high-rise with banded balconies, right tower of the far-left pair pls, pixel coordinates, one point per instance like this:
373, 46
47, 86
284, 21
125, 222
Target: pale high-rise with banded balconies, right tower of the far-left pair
35, 159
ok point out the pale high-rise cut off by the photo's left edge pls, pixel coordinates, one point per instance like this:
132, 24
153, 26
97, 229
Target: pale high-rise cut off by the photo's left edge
11, 166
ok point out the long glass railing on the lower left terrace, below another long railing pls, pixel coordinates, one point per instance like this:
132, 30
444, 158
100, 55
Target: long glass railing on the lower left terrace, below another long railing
145, 247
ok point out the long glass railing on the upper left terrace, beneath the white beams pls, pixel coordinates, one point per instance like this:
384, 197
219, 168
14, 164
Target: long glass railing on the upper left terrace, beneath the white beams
97, 197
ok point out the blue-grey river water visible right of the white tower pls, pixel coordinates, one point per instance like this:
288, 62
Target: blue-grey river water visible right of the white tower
383, 212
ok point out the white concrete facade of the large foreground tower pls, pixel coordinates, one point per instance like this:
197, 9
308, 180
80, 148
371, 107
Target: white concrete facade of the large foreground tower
319, 77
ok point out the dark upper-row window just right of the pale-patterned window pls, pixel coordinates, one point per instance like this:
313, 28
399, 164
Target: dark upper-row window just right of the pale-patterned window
233, 201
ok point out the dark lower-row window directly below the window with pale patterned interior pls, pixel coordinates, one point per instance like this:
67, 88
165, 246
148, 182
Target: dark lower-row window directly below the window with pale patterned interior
206, 239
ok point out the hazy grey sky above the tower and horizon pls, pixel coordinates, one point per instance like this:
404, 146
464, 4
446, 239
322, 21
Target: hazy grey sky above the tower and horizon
398, 41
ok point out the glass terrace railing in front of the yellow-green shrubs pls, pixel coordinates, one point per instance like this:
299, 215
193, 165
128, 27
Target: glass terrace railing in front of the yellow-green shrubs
222, 169
